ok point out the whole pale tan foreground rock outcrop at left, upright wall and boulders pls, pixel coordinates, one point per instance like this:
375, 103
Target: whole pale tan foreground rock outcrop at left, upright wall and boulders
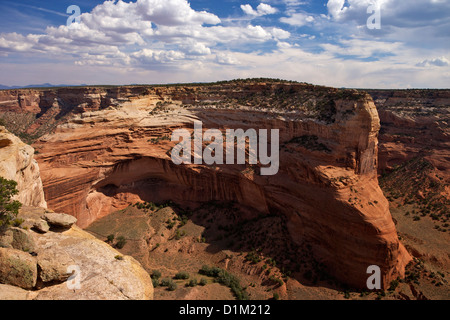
37, 259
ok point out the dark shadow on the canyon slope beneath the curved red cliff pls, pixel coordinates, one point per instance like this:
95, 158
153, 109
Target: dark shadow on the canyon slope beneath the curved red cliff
262, 237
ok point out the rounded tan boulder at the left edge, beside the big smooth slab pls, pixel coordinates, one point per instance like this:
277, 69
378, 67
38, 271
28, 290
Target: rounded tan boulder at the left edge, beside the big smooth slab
17, 268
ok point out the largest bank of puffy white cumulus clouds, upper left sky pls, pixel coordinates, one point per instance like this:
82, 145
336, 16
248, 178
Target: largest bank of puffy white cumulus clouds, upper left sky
142, 33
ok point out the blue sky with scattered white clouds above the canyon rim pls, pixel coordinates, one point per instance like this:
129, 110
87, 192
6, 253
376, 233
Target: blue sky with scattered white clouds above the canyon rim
168, 41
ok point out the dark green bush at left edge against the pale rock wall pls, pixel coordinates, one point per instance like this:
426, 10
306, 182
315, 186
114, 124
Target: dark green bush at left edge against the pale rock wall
8, 208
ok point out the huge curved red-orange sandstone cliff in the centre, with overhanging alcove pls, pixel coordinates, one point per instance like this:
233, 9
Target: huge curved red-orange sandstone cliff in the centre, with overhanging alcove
116, 153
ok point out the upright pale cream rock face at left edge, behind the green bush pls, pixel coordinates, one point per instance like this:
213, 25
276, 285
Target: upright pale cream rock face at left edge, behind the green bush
17, 163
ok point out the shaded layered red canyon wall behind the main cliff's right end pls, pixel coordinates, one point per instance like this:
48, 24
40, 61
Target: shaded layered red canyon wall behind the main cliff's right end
415, 124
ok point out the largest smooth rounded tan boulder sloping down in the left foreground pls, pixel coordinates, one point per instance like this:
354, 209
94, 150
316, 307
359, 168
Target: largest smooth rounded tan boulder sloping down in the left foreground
101, 276
